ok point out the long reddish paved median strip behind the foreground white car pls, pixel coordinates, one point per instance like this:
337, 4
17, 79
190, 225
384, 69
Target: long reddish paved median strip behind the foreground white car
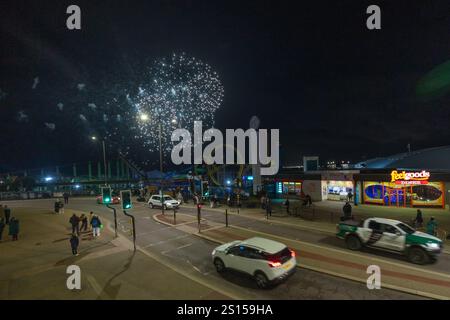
346, 264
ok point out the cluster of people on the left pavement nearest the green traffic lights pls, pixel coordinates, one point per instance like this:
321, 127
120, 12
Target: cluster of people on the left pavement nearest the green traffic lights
95, 225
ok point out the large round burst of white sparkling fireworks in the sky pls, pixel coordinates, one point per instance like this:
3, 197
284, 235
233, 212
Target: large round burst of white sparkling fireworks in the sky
179, 91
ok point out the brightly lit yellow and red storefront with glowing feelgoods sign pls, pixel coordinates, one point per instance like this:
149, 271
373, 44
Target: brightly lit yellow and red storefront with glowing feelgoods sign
405, 189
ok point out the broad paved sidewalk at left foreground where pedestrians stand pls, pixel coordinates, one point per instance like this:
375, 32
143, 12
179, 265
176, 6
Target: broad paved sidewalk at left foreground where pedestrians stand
34, 267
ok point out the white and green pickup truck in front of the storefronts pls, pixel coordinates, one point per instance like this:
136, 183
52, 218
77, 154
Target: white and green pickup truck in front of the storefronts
390, 235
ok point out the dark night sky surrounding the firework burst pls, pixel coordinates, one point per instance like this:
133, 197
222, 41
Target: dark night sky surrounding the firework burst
334, 88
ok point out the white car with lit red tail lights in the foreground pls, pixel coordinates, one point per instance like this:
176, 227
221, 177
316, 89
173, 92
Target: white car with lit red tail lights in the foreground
265, 260
